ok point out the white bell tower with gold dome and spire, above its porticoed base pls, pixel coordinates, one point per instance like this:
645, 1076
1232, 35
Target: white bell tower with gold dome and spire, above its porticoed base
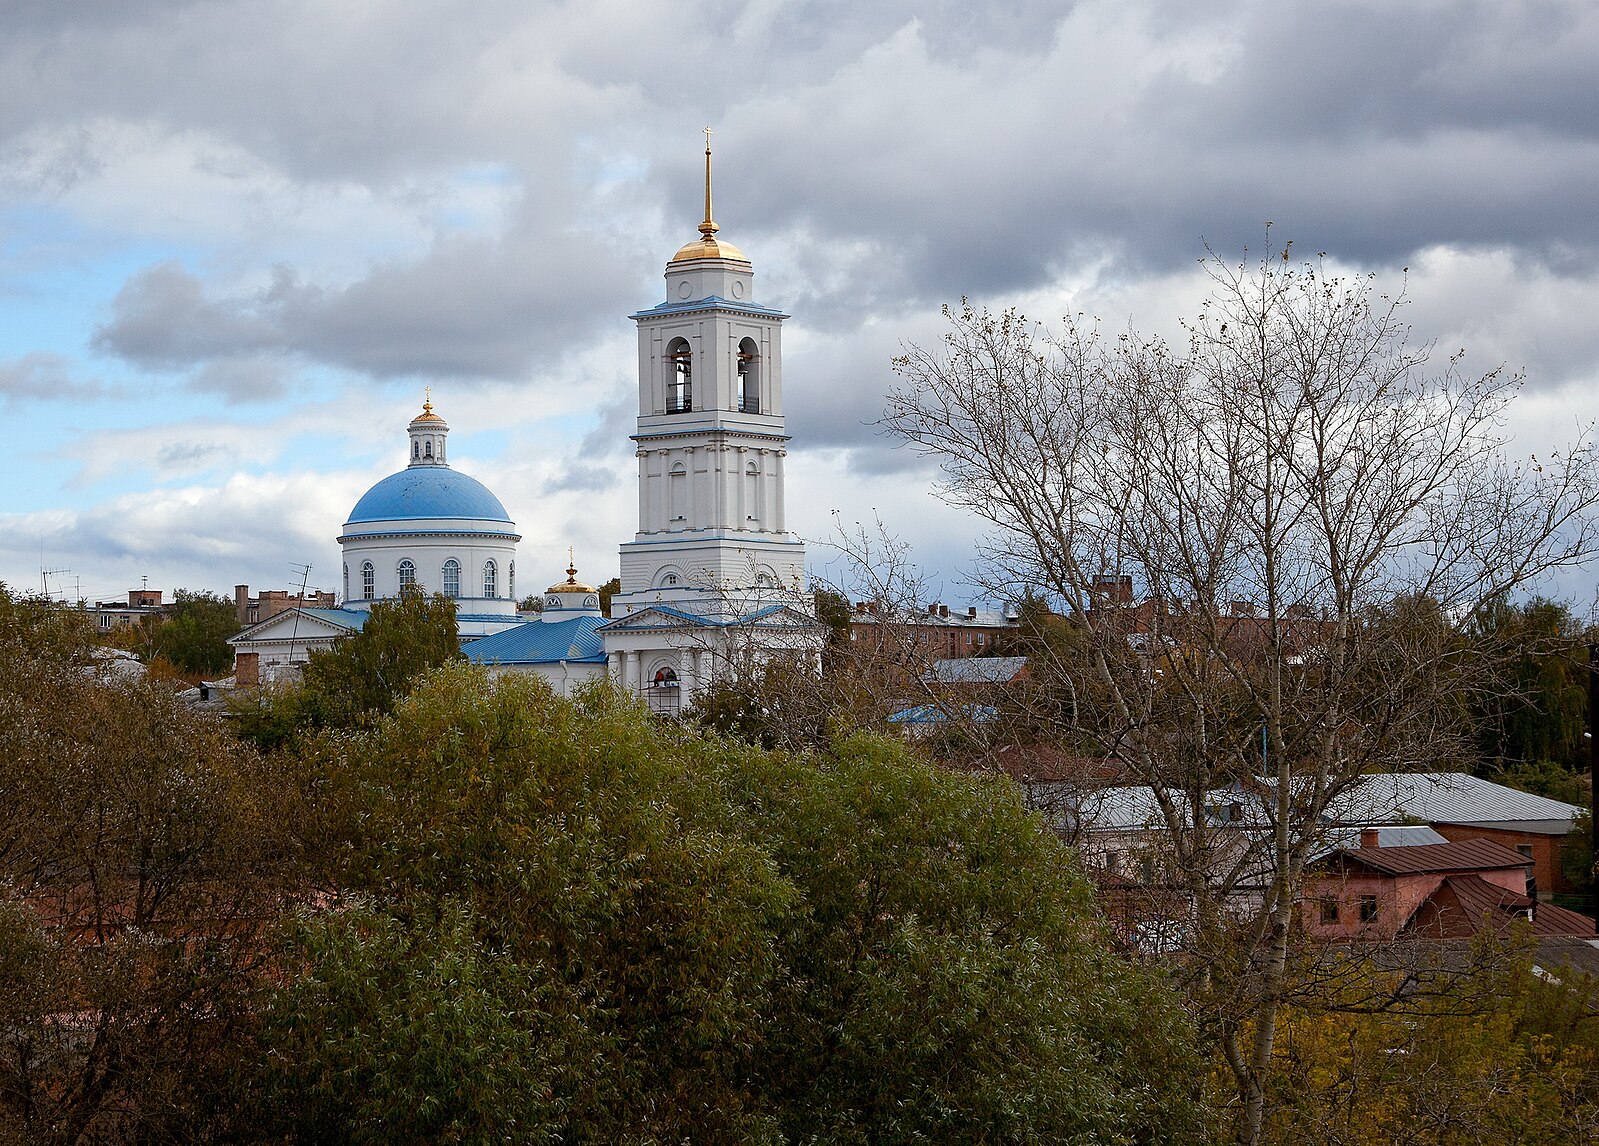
711, 440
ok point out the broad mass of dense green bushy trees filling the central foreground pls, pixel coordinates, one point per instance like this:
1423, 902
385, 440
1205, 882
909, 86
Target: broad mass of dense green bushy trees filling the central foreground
573, 923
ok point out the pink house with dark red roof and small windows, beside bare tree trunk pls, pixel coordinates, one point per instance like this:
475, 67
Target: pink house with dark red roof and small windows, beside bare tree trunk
1432, 891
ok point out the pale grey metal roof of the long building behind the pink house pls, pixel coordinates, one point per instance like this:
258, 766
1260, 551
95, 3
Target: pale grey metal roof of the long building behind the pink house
1449, 798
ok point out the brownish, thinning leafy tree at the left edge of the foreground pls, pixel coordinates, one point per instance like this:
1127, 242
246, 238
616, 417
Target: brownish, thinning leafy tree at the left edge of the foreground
142, 867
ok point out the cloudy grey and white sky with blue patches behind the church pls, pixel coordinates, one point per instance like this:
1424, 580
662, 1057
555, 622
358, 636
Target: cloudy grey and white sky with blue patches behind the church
239, 237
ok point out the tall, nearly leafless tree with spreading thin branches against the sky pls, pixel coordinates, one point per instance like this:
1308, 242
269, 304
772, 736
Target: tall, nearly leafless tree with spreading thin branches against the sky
1262, 546
